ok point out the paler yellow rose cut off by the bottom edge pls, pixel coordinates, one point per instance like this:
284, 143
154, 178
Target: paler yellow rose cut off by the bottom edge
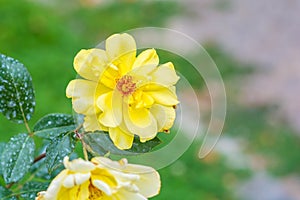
102, 178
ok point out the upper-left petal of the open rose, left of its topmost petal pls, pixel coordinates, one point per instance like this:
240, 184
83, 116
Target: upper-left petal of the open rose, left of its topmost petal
90, 63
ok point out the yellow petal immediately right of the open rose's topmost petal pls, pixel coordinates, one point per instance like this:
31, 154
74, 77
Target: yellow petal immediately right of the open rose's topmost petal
148, 57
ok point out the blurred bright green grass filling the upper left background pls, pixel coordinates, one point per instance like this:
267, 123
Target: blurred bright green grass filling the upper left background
47, 37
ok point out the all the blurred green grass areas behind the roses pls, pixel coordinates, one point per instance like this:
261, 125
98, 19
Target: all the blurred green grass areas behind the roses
46, 36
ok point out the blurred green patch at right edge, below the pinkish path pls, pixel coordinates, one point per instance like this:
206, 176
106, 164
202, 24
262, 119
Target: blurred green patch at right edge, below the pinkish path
273, 140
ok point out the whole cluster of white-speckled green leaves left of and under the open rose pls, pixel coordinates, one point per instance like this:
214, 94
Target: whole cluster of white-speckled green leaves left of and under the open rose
28, 161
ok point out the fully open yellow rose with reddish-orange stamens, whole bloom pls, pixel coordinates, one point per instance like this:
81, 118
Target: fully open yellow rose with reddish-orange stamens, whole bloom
122, 93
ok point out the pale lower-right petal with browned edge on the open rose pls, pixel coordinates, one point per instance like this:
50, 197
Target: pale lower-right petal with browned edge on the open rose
164, 115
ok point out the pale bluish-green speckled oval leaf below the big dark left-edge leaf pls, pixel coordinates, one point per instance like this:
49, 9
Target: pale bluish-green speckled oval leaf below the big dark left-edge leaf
17, 157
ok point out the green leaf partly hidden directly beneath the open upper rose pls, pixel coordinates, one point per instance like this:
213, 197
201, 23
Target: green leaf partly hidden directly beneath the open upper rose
99, 143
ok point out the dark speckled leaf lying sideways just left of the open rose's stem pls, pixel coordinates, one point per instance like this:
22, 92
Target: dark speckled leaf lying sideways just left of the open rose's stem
52, 125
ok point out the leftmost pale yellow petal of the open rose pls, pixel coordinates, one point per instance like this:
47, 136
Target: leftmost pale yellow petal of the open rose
82, 93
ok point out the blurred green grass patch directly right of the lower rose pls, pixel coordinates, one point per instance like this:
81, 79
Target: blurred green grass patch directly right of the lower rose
192, 178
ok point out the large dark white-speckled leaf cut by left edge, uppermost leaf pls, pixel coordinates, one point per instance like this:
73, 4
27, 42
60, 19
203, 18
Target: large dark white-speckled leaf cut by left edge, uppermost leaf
16, 91
